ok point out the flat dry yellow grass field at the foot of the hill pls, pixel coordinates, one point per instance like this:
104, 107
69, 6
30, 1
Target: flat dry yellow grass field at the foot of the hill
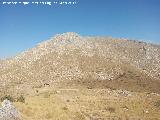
87, 104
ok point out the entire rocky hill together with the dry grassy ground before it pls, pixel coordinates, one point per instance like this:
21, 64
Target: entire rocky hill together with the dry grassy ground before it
73, 77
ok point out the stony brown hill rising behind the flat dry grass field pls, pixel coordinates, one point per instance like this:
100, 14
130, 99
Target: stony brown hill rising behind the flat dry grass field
87, 61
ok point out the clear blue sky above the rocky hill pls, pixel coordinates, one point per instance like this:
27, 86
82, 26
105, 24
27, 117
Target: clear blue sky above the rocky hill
22, 27
